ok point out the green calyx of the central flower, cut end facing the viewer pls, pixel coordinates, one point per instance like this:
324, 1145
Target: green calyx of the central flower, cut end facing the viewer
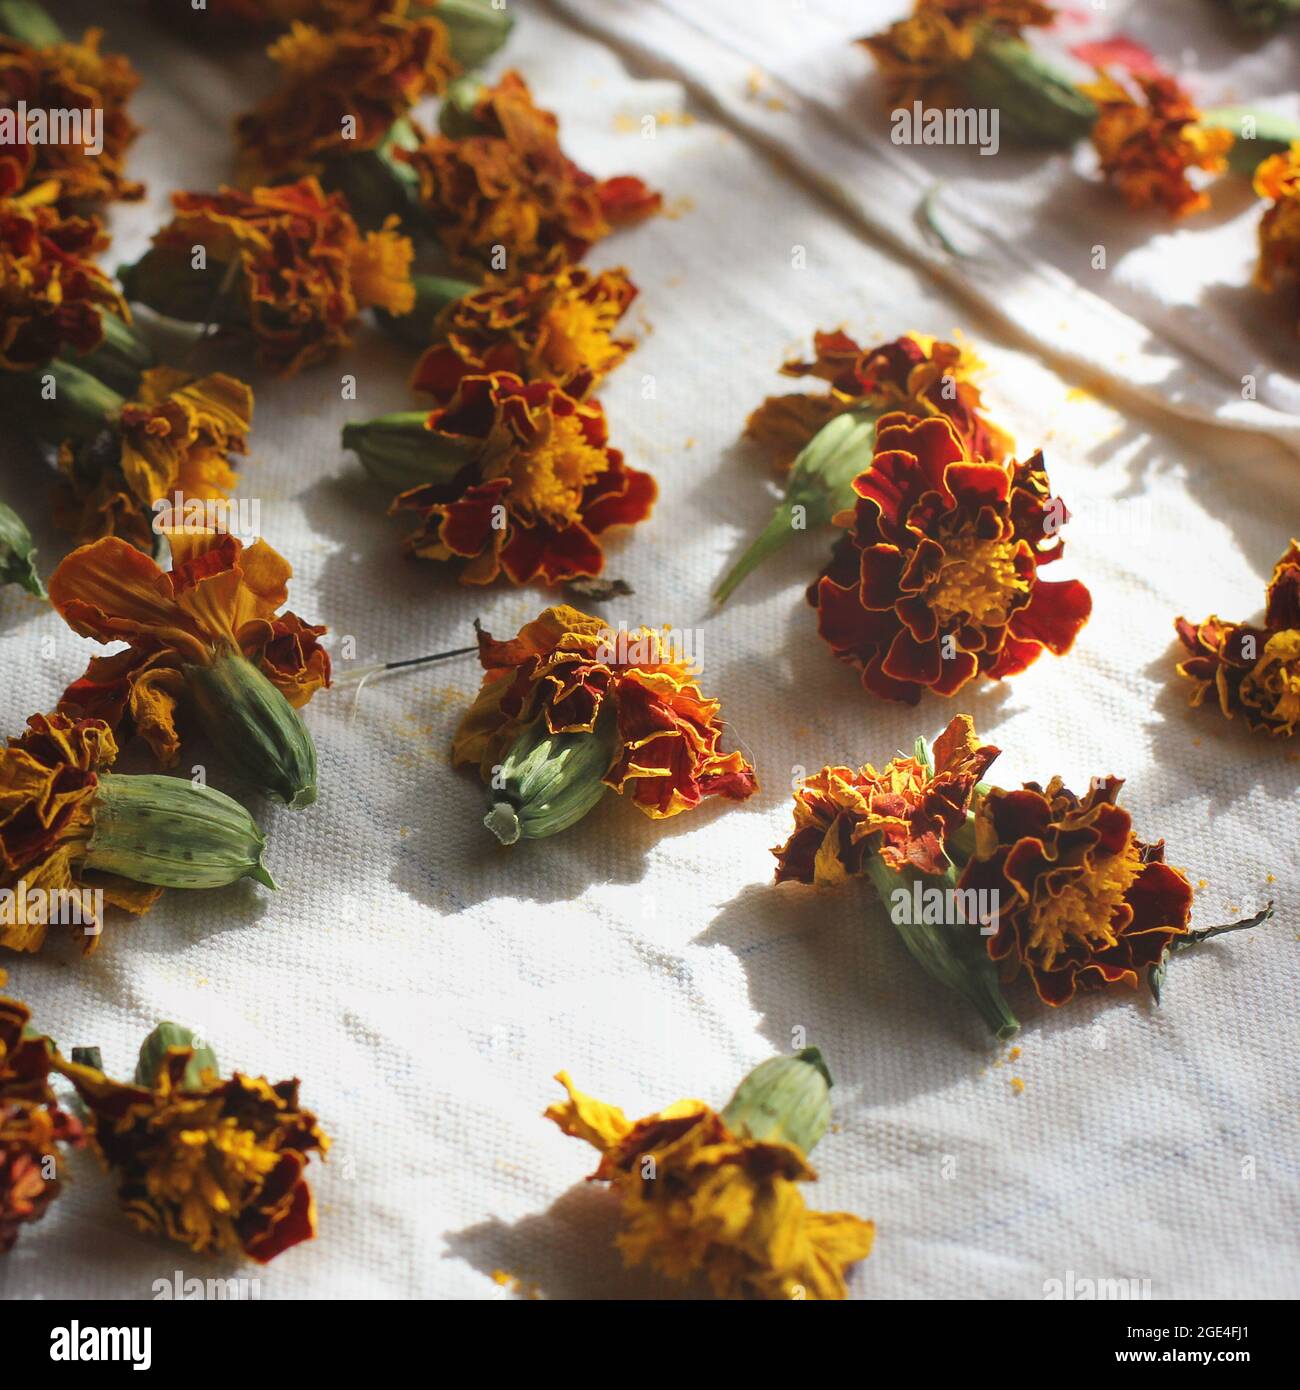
550, 782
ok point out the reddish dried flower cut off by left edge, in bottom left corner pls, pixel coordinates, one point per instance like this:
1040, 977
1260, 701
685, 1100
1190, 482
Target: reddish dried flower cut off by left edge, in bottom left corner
33, 1124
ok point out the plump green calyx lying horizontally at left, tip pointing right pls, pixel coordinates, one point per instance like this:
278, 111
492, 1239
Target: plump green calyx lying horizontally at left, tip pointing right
173, 835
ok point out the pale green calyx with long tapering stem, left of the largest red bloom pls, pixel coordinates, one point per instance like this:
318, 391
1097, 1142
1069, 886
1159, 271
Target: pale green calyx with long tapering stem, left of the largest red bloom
821, 484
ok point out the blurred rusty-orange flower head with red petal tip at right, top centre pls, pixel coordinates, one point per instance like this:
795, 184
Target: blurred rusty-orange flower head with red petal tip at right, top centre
510, 184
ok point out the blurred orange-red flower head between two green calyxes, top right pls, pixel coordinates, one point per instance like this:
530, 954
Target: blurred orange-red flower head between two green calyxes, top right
1148, 141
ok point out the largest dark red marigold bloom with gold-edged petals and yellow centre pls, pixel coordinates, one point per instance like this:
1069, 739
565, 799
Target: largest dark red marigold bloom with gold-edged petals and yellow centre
936, 578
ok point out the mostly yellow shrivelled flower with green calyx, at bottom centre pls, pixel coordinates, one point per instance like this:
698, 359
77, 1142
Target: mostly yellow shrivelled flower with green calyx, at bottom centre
703, 1193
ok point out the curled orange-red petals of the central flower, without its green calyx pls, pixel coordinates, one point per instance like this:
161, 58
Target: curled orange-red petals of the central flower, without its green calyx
564, 668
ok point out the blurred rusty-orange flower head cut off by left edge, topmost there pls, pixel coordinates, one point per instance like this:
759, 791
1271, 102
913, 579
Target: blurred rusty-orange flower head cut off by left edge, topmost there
70, 77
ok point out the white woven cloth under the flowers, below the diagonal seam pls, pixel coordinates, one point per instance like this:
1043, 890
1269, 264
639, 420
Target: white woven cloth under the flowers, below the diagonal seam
426, 985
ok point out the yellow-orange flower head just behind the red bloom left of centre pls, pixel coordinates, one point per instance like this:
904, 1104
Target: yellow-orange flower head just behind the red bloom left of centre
554, 327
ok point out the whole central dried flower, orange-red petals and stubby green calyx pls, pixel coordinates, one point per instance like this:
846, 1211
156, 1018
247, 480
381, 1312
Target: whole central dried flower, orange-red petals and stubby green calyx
631, 704
